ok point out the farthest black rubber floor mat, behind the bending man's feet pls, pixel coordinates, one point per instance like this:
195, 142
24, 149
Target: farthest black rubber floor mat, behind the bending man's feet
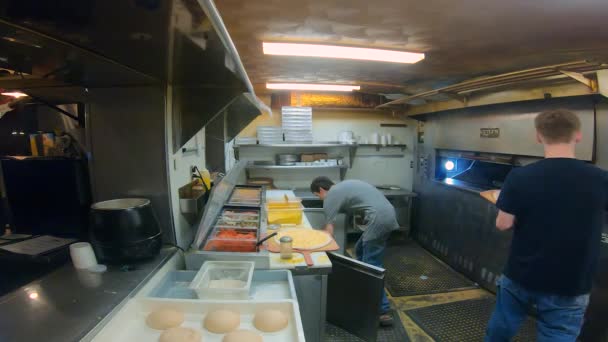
411, 270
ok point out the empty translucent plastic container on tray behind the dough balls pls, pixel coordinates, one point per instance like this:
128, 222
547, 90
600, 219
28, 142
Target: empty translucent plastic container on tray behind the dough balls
223, 280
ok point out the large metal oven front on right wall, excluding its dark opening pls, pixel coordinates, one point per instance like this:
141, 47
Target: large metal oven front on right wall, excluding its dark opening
457, 225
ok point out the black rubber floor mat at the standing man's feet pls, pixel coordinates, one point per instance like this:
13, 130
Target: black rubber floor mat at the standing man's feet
463, 321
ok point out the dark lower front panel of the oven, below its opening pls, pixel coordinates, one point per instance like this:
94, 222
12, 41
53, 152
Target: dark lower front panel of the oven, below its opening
458, 227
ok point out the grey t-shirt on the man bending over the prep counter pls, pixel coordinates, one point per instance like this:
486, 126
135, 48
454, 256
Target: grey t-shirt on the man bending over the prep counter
354, 197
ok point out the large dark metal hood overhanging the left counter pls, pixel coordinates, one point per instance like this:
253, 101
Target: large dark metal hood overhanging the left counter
89, 44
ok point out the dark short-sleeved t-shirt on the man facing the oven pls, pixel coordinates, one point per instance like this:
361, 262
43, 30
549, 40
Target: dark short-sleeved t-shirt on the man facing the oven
559, 206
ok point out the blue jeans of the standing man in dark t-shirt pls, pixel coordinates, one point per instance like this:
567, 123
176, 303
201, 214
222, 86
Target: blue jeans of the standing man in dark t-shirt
559, 317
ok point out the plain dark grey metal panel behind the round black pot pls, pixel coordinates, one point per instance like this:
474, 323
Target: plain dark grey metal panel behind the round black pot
128, 148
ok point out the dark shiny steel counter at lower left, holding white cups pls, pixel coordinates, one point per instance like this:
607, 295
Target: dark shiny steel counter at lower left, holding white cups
66, 304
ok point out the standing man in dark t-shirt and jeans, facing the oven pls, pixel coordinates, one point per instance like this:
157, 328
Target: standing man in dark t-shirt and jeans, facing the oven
556, 209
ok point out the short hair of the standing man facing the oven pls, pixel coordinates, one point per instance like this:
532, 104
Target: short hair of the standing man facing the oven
557, 126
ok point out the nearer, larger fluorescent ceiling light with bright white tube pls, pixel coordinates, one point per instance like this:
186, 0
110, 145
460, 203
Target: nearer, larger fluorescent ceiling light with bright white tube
332, 51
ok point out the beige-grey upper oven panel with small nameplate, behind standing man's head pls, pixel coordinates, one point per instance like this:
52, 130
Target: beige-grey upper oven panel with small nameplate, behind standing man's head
460, 130
